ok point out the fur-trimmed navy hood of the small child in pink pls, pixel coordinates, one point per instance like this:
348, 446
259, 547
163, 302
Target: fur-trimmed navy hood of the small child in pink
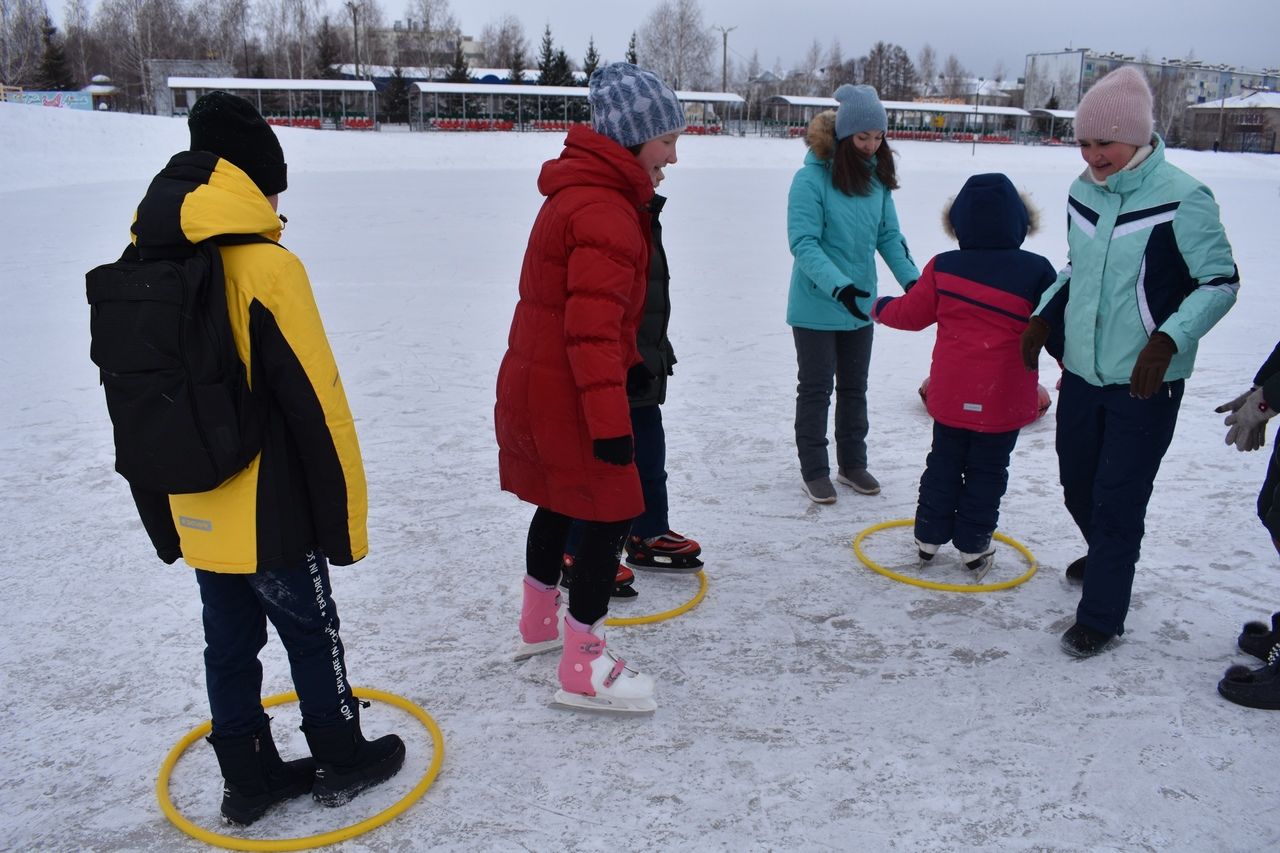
990, 213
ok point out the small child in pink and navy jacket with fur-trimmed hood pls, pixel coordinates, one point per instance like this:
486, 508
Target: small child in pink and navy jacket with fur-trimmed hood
981, 395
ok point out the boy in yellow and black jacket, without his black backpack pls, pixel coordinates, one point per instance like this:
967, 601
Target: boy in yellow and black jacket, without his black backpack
262, 542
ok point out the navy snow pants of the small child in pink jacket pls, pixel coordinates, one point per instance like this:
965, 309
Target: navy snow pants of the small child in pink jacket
966, 477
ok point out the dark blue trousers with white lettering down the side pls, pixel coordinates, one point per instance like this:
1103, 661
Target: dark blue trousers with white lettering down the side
299, 601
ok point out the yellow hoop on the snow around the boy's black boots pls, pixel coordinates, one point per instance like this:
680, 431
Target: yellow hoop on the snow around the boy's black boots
309, 842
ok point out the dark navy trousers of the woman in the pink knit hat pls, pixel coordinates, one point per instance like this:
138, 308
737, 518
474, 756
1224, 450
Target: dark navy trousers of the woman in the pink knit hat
1109, 451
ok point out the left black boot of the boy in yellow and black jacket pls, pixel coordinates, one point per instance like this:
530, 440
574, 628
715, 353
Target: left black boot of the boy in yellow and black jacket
254, 777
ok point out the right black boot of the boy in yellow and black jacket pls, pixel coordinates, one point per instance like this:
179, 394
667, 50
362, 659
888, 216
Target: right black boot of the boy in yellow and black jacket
348, 764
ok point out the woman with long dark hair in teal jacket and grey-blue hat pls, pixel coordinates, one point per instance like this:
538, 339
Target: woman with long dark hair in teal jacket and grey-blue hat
840, 213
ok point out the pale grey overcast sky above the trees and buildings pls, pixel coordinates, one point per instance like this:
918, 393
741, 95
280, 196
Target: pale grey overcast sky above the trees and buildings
980, 33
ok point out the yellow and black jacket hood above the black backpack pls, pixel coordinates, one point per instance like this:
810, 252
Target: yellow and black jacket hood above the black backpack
198, 197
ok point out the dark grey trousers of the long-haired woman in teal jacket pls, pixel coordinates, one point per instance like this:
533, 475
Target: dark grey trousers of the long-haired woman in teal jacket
821, 359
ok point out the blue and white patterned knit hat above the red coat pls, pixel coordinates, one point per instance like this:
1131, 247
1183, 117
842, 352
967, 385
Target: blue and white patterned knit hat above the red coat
632, 106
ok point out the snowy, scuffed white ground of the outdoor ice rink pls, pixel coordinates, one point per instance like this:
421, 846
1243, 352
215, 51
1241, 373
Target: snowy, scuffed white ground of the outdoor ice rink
807, 704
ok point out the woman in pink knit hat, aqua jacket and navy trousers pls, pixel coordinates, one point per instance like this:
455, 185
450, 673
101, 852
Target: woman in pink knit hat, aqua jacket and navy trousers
1150, 273
